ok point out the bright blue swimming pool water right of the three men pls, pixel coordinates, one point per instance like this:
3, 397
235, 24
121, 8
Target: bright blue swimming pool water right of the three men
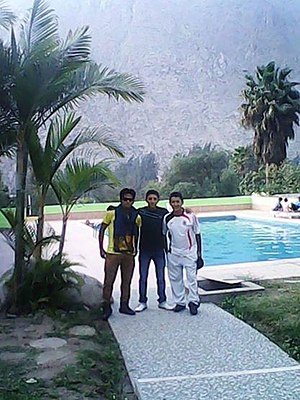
230, 240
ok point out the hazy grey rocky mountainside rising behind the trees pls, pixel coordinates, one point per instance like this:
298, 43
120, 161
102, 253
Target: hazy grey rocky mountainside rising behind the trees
191, 55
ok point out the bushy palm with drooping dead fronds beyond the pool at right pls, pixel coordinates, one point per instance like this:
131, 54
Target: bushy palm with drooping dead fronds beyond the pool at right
271, 107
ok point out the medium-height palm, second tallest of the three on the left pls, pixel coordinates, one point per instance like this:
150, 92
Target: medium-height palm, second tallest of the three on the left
47, 160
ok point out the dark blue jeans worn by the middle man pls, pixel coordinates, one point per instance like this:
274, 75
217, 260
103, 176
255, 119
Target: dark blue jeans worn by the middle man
158, 257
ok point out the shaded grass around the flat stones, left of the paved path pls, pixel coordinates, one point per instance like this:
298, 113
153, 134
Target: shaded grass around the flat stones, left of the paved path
99, 371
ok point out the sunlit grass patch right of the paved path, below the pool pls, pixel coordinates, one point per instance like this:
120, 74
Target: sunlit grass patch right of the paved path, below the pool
274, 312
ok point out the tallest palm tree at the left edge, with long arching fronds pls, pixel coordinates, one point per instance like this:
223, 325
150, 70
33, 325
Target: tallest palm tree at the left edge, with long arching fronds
40, 75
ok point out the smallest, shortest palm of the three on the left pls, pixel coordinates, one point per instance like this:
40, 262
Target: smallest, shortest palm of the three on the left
77, 179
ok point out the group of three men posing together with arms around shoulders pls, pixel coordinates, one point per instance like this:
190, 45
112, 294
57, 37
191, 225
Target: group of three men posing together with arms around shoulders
184, 251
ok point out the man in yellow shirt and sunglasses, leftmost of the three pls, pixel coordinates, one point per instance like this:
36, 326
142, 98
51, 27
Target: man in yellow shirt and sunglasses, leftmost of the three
123, 228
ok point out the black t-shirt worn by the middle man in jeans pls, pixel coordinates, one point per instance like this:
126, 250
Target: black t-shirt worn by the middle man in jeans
151, 237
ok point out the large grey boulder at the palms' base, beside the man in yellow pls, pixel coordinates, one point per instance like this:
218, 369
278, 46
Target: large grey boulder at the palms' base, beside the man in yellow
90, 294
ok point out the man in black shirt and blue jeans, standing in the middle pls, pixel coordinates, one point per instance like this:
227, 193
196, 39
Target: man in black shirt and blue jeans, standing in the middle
152, 247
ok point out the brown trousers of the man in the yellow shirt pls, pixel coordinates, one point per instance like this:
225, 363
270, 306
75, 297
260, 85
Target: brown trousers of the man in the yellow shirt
111, 266
